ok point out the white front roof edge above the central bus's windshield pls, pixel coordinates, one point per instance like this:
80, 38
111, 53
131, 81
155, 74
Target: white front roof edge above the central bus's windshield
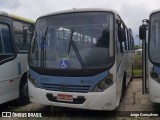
81, 10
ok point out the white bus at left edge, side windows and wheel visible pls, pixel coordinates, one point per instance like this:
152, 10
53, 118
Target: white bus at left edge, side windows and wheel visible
15, 36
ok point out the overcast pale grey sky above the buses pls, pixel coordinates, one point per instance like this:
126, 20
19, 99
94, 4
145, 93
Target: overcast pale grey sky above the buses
132, 12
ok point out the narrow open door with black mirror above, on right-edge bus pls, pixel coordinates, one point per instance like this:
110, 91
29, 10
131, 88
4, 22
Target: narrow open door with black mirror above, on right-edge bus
143, 33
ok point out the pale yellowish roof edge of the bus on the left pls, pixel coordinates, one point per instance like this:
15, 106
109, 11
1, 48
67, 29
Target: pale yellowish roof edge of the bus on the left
3, 13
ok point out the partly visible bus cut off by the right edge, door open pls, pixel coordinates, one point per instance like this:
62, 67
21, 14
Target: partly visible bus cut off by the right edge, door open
149, 33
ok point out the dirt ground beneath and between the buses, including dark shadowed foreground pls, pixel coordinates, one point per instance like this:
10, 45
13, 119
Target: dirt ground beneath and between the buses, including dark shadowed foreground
133, 102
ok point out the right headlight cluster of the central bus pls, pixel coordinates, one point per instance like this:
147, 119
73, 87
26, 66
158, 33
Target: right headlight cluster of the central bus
104, 84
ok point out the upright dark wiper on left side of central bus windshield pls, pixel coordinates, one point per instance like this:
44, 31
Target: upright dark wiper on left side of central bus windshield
43, 48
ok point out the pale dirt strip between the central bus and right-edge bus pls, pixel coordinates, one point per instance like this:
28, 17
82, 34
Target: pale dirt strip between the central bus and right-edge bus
134, 100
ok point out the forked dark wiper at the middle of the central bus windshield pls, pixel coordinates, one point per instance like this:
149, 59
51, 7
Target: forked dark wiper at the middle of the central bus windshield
76, 50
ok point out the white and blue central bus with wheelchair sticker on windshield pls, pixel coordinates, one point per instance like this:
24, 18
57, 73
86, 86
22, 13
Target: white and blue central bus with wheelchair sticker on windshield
80, 58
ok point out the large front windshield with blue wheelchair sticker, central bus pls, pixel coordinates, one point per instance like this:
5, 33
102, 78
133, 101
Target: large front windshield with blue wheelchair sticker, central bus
82, 40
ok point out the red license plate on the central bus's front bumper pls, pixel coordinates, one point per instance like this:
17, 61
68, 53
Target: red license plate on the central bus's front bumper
63, 97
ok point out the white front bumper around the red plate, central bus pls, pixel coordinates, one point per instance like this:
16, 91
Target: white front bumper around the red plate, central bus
105, 100
